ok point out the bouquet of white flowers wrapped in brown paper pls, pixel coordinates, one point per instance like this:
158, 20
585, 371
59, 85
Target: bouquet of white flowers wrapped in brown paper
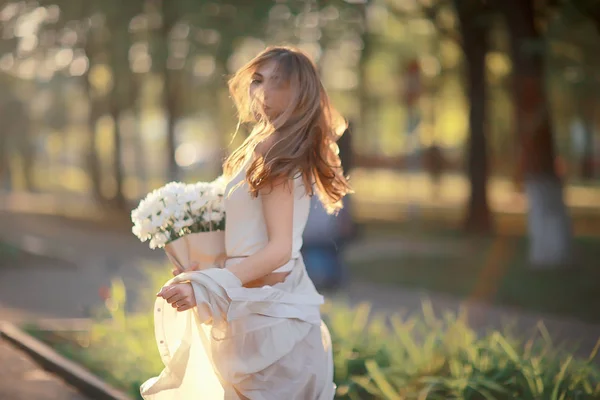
187, 220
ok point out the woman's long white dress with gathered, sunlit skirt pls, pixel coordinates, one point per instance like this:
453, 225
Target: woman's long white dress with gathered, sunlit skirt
246, 343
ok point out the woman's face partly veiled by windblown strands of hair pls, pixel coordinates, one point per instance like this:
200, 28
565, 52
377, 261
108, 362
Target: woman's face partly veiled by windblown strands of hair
269, 91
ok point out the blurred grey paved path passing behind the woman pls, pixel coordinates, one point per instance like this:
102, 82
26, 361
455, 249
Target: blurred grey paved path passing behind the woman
67, 290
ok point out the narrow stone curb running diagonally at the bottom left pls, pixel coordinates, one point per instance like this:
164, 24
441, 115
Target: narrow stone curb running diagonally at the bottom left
83, 380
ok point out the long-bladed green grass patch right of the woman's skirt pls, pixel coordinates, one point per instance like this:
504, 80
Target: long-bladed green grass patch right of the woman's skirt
425, 357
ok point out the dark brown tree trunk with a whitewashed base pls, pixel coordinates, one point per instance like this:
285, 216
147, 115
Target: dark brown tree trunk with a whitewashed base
549, 223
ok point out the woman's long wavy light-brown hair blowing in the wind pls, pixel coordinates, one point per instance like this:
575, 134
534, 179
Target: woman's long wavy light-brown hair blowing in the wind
300, 140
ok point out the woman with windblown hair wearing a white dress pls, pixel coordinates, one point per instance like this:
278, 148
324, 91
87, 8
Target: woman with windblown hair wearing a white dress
259, 333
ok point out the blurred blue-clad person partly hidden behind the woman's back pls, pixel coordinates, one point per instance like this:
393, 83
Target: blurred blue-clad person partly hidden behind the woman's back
326, 235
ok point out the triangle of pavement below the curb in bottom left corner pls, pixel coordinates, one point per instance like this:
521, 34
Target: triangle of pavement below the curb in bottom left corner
22, 379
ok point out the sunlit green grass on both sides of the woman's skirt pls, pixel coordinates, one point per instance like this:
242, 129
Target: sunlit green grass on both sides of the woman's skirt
421, 357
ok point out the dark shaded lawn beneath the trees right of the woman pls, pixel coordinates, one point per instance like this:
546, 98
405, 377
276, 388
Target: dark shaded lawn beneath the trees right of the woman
490, 269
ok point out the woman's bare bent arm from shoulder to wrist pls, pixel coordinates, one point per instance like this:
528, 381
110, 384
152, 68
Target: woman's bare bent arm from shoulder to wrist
278, 210
